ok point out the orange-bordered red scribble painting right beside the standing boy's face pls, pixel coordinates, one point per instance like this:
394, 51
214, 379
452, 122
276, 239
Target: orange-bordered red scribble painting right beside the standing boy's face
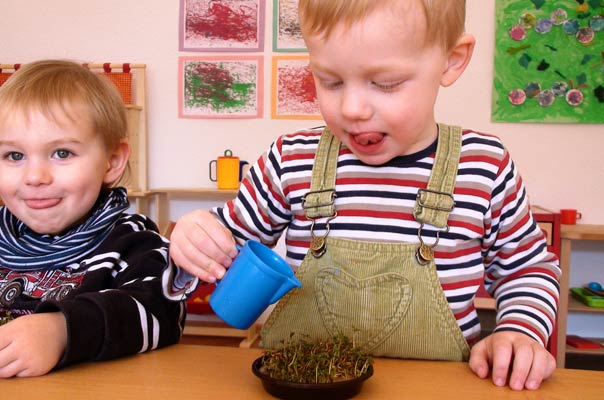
294, 95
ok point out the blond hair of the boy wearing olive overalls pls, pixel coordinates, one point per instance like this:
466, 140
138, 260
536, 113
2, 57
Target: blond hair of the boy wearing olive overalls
445, 18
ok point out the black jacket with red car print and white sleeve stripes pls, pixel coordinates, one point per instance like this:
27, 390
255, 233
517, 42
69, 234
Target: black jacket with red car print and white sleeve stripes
112, 300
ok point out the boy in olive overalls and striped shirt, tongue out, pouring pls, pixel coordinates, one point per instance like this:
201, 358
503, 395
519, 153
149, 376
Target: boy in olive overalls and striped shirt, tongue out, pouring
392, 220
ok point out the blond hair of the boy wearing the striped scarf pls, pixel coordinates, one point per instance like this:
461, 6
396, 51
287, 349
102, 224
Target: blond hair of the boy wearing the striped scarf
51, 86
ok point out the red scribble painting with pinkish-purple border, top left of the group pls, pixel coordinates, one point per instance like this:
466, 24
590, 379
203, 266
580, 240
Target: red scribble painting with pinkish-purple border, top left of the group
222, 25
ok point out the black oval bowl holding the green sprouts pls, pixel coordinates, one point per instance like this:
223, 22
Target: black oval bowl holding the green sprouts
314, 391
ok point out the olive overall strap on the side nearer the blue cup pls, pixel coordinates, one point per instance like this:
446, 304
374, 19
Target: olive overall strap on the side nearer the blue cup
319, 201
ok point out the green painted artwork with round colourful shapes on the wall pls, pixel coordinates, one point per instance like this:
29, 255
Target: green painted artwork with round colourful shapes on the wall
549, 61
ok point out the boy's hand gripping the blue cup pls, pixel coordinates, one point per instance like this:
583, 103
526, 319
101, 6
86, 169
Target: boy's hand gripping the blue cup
200, 245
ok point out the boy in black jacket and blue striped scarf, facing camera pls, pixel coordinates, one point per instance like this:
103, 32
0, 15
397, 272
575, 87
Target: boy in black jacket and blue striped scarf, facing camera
80, 277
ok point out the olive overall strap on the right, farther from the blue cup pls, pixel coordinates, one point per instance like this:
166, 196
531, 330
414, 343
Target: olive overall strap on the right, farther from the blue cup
434, 203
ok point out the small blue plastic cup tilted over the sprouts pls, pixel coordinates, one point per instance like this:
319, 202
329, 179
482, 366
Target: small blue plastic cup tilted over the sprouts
257, 278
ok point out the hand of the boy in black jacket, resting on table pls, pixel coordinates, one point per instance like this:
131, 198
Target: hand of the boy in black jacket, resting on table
32, 345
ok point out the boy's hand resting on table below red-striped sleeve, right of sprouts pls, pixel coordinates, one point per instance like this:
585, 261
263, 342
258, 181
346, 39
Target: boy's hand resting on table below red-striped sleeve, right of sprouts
505, 352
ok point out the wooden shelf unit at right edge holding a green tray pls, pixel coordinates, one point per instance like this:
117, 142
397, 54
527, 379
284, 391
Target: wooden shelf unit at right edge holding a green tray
569, 234
